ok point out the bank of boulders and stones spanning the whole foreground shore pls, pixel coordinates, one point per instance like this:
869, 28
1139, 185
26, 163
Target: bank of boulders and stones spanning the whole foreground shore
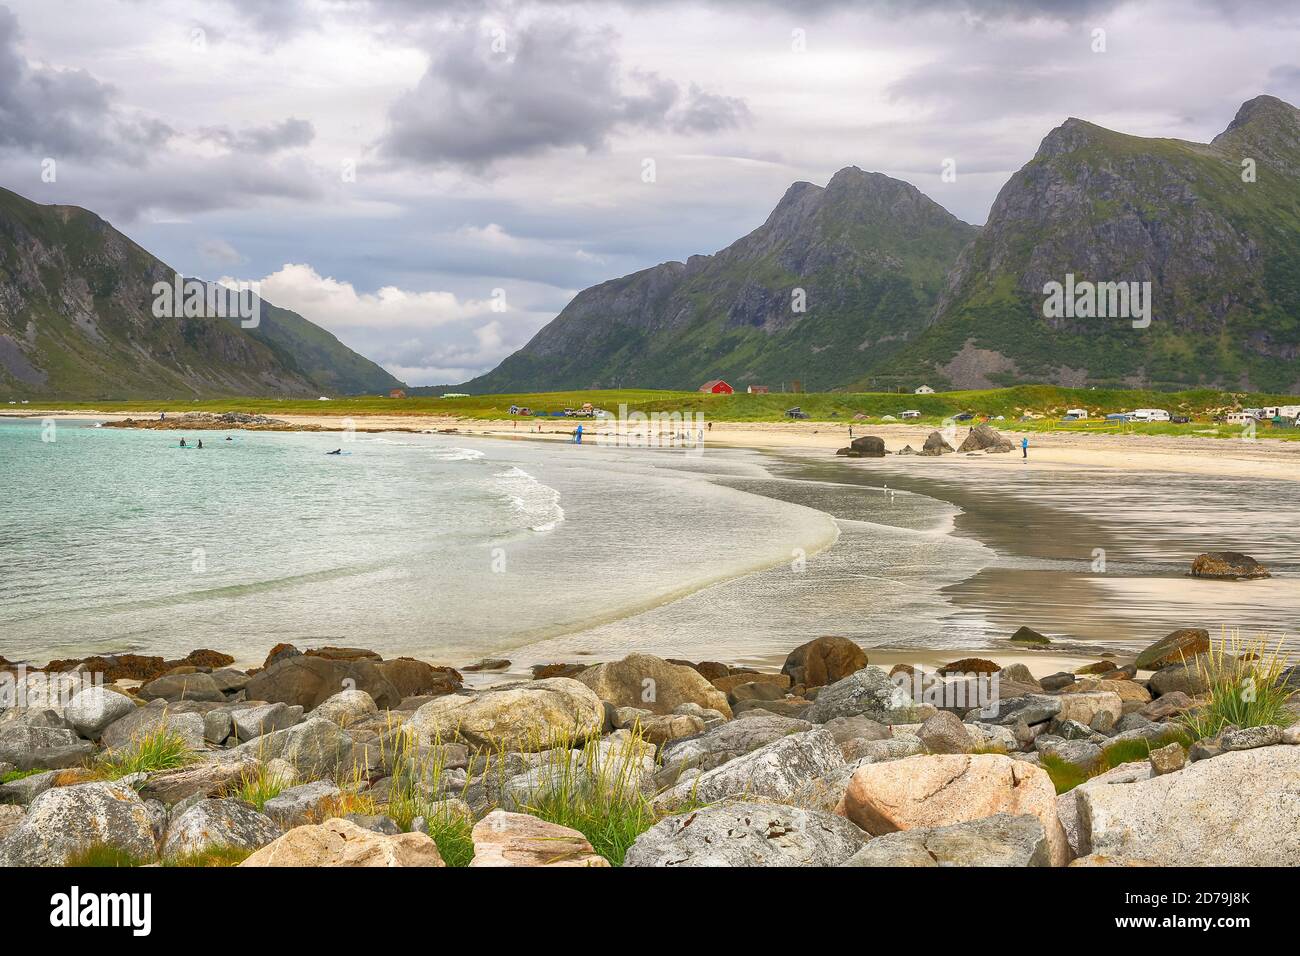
829, 763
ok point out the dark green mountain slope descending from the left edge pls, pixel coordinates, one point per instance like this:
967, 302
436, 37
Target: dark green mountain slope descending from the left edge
77, 323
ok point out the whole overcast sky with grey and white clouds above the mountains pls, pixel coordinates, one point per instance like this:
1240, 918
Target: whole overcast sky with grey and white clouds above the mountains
397, 171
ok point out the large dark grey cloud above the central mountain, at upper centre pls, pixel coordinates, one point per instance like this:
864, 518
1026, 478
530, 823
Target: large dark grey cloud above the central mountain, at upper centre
547, 85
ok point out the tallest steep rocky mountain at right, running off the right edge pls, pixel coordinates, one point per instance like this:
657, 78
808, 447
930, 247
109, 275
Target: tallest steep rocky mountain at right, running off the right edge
1223, 257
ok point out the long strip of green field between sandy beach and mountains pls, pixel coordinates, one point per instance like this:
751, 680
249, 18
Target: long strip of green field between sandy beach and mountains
1046, 401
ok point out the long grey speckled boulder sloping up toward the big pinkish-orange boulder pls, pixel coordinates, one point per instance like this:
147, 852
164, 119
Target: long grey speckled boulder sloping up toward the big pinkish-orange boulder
775, 771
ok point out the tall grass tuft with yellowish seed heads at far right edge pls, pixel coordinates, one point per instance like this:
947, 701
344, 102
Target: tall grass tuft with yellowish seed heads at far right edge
1245, 689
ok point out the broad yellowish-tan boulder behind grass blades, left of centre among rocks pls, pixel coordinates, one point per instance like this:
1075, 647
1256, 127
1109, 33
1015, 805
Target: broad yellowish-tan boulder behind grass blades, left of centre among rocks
528, 717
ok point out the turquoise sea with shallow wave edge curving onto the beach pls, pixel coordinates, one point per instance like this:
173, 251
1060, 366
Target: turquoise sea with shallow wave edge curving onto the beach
432, 546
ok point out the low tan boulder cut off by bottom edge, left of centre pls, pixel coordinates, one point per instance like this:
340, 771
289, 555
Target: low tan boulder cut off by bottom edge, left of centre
344, 843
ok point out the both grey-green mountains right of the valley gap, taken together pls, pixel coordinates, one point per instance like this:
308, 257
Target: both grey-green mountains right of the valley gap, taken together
900, 293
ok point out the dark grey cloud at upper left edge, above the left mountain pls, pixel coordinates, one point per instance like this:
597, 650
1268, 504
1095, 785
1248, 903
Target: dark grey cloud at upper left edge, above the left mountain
66, 113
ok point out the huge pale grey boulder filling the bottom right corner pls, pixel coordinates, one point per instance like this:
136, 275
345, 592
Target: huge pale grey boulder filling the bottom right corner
1240, 810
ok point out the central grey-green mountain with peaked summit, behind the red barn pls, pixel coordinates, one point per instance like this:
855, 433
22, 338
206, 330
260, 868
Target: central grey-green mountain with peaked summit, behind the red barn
869, 253
